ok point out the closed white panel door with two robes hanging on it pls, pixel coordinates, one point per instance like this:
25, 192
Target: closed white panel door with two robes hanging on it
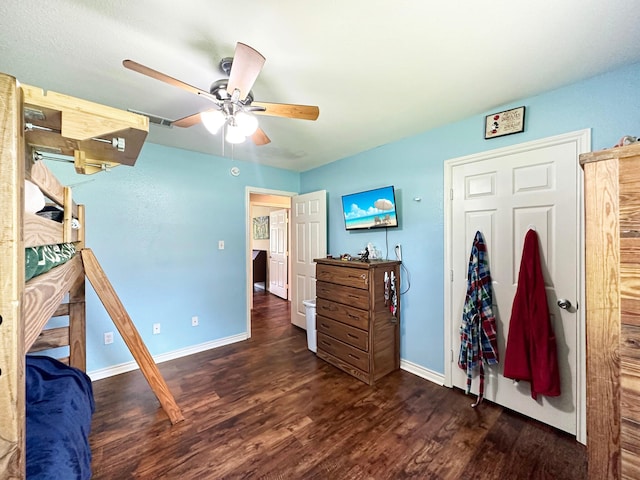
504, 194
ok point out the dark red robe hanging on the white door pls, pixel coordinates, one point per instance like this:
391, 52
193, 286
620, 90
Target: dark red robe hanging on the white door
531, 352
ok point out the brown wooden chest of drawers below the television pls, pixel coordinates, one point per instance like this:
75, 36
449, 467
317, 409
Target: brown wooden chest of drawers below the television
358, 331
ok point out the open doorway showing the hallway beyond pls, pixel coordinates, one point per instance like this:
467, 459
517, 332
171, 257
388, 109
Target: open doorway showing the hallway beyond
268, 234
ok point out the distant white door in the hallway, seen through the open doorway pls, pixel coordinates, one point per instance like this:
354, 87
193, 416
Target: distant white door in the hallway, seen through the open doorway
278, 262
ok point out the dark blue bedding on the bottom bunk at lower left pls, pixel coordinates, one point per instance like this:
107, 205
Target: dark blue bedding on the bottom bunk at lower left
60, 403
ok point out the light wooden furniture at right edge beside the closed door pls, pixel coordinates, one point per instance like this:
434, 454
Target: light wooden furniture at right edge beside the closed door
612, 213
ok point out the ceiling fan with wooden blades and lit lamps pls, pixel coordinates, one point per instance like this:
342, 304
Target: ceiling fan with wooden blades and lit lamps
234, 107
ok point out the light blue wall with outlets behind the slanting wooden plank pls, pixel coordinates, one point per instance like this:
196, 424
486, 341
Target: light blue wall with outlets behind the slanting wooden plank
155, 229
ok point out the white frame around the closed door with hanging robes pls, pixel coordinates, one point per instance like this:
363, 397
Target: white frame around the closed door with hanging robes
583, 142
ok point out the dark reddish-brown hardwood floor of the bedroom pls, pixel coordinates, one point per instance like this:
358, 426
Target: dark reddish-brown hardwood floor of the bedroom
267, 408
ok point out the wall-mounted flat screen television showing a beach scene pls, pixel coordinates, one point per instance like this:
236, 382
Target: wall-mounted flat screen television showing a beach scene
371, 209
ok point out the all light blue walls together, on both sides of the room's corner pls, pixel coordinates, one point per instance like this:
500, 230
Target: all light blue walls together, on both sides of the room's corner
155, 227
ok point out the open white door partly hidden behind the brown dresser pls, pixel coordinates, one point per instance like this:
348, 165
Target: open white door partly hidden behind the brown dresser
308, 241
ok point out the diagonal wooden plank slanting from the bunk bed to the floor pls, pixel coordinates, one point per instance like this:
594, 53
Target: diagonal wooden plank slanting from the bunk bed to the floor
130, 335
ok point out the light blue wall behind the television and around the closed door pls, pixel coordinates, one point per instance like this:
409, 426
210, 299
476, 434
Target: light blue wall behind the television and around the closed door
608, 104
